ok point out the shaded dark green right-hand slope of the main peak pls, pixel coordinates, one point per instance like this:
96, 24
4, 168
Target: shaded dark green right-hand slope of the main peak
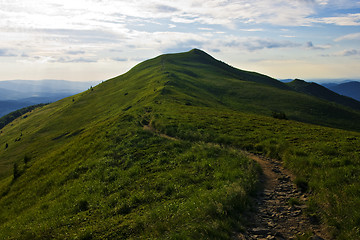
204, 81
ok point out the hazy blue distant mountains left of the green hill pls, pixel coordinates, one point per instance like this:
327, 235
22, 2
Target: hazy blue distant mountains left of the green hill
15, 94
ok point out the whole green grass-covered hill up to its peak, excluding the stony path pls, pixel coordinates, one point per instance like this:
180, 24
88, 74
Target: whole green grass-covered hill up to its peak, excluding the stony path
155, 153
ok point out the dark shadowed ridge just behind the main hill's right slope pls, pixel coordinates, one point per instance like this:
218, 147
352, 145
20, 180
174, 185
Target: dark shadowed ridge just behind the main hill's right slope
319, 91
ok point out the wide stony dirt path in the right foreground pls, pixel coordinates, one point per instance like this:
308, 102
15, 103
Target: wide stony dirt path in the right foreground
279, 207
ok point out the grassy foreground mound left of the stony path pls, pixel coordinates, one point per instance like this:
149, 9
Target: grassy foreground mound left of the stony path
133, 190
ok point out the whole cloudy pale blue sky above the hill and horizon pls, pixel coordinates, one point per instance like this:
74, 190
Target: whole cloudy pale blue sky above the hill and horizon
87, 40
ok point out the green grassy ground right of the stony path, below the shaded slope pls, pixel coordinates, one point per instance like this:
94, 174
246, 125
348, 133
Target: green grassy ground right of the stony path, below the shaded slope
325, 160
